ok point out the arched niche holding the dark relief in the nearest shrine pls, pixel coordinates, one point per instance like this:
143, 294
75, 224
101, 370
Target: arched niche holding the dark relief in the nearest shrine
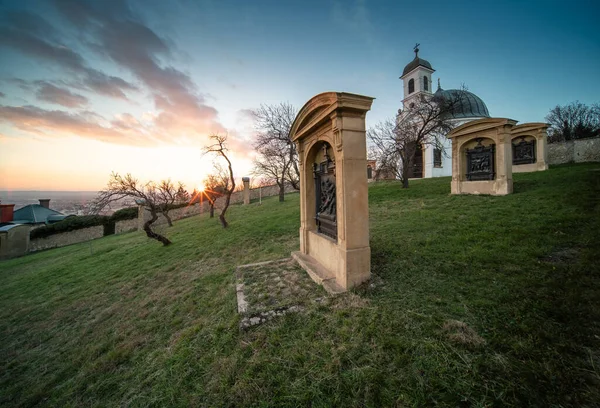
322, 192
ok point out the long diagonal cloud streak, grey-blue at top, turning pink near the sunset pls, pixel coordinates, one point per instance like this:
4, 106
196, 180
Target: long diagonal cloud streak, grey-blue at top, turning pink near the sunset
136, 47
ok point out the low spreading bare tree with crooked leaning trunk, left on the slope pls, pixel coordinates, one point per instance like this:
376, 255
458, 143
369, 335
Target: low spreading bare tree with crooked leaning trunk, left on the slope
154, 198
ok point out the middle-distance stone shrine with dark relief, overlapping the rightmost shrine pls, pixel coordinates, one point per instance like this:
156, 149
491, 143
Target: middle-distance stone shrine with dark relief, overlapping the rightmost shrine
482, 157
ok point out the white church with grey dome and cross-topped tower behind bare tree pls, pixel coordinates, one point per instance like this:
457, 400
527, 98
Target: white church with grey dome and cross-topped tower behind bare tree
431, 160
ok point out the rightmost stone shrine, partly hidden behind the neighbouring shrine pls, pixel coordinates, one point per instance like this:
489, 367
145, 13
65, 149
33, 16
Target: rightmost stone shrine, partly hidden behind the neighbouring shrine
529, 147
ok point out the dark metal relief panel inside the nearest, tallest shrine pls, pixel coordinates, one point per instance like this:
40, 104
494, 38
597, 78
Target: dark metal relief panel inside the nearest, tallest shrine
324, 175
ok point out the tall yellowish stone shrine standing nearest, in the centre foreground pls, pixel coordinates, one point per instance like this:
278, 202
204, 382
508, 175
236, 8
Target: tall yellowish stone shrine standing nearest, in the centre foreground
329, 133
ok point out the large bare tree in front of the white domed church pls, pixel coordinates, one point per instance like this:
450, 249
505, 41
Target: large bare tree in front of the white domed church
426, 122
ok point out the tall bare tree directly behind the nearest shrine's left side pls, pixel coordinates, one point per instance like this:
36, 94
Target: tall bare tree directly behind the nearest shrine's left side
278, 158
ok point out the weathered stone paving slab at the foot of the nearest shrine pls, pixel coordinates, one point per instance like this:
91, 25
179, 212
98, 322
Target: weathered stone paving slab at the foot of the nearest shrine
269, 289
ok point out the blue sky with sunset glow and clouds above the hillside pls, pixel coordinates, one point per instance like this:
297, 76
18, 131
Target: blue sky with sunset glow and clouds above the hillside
90, 87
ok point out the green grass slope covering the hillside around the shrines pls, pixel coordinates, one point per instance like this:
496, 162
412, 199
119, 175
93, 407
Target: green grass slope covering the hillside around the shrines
138, 324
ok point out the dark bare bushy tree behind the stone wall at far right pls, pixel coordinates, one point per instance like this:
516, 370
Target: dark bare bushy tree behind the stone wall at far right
573, 121
